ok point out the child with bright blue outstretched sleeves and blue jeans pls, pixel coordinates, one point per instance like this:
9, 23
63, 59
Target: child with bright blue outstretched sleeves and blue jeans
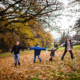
37, 51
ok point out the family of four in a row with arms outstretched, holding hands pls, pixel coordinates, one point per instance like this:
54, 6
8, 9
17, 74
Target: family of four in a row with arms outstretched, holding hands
68, 47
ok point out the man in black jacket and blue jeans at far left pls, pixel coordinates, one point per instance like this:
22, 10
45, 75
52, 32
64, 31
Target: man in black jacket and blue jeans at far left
16, 50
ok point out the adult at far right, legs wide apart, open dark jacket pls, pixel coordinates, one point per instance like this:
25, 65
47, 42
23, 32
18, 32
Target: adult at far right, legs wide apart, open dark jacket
68, 46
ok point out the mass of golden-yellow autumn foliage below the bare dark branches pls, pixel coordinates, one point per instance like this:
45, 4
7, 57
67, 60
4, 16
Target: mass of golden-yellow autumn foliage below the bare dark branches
29, 34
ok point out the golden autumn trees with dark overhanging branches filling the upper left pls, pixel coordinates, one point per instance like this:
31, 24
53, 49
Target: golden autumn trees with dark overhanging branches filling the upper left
22, 20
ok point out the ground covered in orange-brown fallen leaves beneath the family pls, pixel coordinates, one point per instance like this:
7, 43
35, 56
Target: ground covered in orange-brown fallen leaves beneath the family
57, 69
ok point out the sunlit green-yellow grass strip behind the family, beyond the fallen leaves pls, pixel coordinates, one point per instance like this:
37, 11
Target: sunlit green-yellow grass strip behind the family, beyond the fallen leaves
23, 52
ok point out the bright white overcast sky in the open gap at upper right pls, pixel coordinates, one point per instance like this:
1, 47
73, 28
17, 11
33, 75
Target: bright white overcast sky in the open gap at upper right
66, 22
